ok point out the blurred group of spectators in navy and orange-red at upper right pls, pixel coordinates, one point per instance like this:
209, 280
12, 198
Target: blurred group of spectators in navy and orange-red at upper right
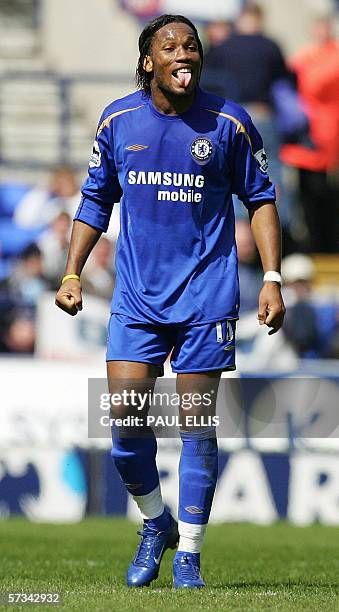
294, 104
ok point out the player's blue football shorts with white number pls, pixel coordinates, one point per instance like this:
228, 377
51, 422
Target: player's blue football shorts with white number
193, 348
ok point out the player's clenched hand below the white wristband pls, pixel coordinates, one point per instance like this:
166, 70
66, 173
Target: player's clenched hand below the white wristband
271, 307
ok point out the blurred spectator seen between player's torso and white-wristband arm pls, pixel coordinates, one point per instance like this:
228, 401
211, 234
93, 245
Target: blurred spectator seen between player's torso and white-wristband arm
250, 273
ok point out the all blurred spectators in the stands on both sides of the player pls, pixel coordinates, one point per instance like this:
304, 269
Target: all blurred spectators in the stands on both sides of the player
294, 104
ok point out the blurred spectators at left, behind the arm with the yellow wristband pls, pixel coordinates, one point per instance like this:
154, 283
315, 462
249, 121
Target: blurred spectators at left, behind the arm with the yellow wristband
35, 230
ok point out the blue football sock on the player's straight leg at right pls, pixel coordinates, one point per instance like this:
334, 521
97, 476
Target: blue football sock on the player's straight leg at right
198, 472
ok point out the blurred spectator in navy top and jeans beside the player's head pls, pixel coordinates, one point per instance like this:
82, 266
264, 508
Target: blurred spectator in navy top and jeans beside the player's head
244, 68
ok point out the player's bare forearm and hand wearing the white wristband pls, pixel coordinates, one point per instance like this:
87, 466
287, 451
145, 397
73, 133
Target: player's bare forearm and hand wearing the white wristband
266, 230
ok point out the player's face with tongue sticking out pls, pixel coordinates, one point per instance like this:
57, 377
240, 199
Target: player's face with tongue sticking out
174, 60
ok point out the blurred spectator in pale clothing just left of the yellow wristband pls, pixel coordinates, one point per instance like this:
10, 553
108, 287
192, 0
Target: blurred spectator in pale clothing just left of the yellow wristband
54, 248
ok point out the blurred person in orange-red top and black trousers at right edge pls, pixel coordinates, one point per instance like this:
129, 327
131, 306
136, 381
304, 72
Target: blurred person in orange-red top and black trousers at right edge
317, 71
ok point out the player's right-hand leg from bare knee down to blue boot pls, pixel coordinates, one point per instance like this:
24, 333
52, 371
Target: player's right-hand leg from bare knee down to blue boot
197, 474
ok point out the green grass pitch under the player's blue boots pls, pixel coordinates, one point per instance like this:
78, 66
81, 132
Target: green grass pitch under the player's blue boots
246, 567
